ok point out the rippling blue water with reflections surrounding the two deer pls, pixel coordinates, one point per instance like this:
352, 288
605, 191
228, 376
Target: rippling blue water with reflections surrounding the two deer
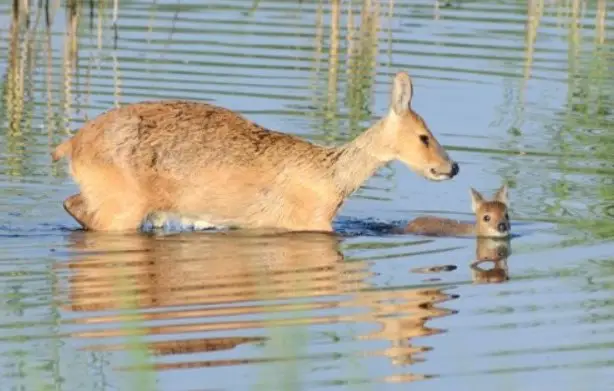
518, 92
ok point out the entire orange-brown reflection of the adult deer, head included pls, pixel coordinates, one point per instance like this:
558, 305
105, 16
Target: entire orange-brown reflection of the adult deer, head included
197, 284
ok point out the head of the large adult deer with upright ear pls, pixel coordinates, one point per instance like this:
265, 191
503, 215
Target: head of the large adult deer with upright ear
414, 144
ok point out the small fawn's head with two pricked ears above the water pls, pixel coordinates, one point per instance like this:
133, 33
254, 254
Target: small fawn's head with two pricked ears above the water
492, 219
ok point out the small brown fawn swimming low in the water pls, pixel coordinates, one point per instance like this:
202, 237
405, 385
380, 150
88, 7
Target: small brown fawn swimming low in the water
495, 211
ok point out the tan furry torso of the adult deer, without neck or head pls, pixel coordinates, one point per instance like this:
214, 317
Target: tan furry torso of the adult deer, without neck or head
248, 184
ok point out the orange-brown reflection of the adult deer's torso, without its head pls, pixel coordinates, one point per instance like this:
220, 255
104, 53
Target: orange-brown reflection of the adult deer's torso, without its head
203, 274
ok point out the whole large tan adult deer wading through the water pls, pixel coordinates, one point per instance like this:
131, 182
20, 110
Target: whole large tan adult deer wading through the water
208, 163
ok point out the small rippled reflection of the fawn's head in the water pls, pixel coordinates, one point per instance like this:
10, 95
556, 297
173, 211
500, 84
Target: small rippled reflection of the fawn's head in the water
495, 252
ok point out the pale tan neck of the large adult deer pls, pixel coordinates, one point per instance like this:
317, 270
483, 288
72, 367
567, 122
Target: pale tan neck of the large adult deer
360, 158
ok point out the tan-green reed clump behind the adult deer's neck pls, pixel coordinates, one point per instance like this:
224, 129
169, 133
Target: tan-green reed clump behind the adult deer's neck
346, 47
